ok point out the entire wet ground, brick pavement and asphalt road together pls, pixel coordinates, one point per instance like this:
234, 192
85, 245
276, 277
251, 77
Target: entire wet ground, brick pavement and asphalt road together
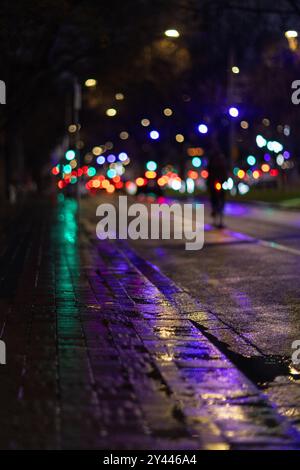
145, 345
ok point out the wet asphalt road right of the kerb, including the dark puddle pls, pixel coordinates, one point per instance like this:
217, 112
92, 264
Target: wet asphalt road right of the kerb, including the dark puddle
247, 278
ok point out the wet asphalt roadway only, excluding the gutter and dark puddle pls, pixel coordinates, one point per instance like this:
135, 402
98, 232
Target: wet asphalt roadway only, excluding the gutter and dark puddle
247, 274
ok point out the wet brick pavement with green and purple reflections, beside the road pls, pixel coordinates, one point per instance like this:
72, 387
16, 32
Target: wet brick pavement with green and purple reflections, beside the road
103, 351
